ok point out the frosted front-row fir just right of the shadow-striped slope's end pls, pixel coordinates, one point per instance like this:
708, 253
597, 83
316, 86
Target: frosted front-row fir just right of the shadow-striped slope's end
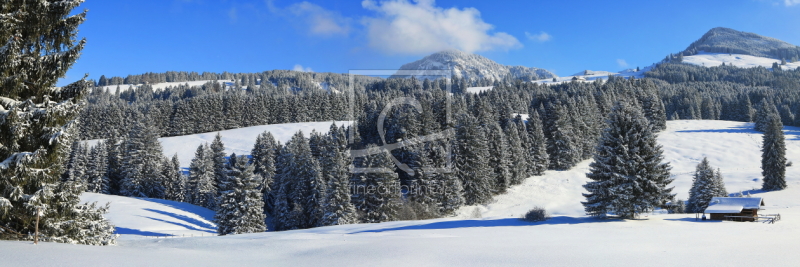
239, 204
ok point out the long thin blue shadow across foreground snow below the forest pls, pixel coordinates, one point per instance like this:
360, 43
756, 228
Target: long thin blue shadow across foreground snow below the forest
505, 222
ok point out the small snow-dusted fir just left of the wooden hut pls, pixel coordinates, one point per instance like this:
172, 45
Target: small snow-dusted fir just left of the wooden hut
706, 184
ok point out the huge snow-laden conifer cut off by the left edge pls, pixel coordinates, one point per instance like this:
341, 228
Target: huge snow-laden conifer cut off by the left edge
38, 124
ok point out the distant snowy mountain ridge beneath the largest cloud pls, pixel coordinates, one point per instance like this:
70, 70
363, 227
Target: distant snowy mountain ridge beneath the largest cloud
472, 67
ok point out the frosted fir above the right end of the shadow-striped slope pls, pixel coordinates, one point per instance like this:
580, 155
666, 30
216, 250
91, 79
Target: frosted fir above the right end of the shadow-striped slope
202, 188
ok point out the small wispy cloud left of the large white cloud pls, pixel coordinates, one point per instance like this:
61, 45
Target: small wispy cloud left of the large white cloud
319, 20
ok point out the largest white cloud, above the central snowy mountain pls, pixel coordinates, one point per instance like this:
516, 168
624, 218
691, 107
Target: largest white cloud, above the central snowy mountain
419, 27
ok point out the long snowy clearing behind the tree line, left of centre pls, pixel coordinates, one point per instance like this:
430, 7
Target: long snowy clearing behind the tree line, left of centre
239, 141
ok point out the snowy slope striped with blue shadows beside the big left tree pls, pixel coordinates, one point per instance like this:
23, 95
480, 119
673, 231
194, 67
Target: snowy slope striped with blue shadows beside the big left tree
136, 217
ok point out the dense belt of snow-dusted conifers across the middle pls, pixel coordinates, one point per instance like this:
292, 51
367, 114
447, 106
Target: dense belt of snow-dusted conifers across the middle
307, 182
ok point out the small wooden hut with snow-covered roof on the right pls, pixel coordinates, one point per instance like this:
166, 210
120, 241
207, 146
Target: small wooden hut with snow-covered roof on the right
743, 209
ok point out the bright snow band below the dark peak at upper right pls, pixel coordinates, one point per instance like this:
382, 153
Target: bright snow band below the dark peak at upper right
742, 61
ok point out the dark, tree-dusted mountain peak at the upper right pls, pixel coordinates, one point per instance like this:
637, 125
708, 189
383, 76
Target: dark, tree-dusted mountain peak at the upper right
725, 40
